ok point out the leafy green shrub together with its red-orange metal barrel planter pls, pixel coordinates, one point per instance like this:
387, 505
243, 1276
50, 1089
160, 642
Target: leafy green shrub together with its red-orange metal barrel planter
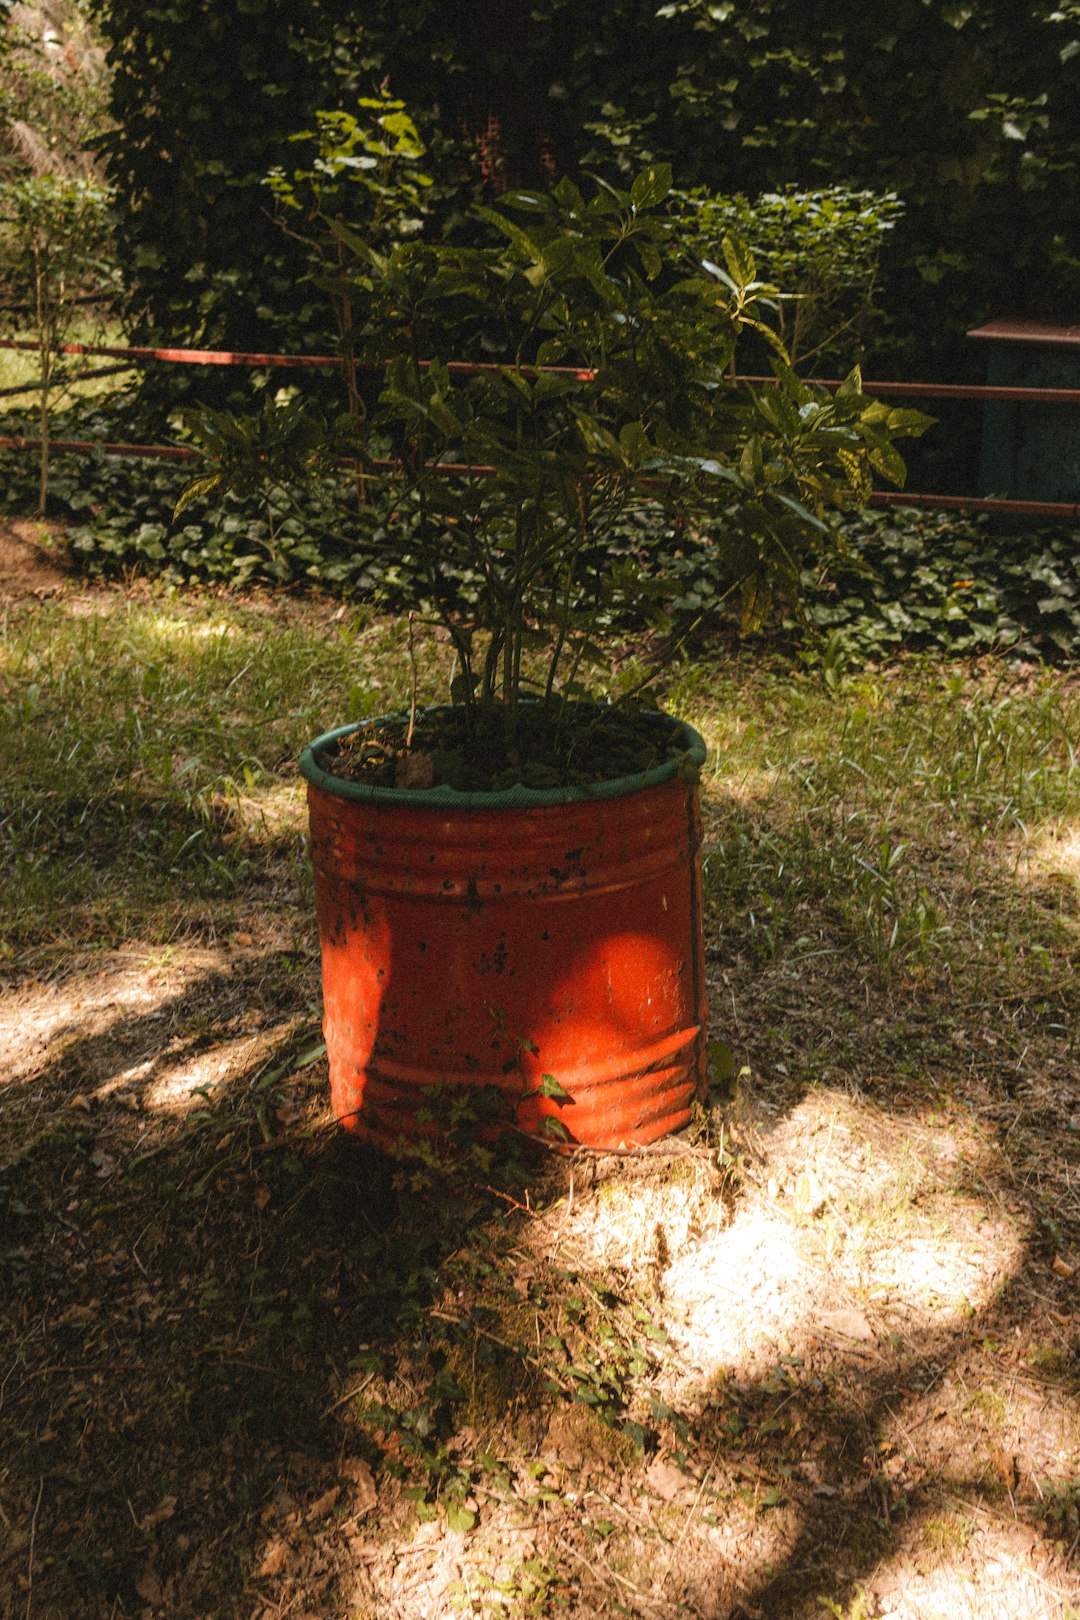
509, 887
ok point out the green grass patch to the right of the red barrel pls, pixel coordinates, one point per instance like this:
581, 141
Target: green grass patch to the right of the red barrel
872, 817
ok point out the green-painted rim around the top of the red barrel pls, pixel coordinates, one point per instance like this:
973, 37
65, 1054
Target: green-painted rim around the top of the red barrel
517, 798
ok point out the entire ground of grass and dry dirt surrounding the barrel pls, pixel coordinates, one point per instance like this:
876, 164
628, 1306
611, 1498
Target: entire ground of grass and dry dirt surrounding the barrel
823, 1360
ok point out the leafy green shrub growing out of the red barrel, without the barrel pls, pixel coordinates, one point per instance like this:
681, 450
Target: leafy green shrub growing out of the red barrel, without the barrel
610, 394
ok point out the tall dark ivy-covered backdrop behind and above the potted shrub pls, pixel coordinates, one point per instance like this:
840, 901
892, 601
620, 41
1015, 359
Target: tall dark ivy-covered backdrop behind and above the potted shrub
969, 114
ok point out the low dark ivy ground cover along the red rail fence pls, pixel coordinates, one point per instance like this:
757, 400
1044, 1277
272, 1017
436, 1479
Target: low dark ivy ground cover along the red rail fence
943, 582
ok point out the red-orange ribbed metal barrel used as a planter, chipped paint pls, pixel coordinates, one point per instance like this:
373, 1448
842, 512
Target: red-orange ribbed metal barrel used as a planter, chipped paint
477, 944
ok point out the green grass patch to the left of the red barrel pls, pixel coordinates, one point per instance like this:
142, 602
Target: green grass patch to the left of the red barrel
150, 752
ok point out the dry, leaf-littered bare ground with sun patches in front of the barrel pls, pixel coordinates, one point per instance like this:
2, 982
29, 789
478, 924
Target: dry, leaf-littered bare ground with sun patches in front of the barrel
822, 1357
